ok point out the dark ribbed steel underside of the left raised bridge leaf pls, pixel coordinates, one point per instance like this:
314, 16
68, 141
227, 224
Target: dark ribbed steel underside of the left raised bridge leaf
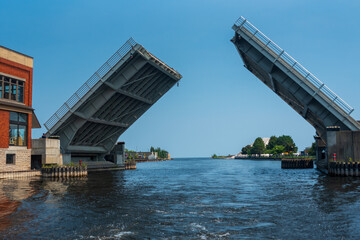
109, 110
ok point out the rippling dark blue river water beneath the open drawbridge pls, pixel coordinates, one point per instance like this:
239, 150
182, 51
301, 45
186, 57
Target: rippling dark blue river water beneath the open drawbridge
184, 199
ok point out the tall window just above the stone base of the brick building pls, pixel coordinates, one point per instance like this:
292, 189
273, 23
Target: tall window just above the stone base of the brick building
18, 129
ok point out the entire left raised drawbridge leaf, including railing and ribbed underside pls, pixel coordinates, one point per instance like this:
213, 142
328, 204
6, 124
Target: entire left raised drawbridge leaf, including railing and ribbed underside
90, 122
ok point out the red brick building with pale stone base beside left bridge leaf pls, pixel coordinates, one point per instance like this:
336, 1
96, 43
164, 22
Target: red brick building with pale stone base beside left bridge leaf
17, 116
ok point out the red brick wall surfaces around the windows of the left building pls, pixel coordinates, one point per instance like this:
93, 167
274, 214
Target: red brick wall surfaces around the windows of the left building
21, 71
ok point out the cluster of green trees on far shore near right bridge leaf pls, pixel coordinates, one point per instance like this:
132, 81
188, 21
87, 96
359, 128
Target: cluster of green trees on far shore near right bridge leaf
276, 146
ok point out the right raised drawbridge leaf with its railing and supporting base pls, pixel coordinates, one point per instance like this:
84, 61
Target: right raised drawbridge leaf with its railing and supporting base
299, 88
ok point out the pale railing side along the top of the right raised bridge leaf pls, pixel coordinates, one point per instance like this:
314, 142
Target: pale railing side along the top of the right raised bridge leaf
291, 63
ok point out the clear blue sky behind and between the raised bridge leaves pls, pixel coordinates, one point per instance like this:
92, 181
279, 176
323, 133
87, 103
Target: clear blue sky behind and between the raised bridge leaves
220, 106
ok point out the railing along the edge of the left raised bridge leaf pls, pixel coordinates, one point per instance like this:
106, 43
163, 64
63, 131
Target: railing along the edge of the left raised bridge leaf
90, 83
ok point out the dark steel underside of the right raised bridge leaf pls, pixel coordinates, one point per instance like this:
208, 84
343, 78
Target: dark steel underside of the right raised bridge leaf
304, 99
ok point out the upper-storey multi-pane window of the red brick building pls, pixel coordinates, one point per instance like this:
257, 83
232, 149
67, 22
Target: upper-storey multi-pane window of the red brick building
11, 89
